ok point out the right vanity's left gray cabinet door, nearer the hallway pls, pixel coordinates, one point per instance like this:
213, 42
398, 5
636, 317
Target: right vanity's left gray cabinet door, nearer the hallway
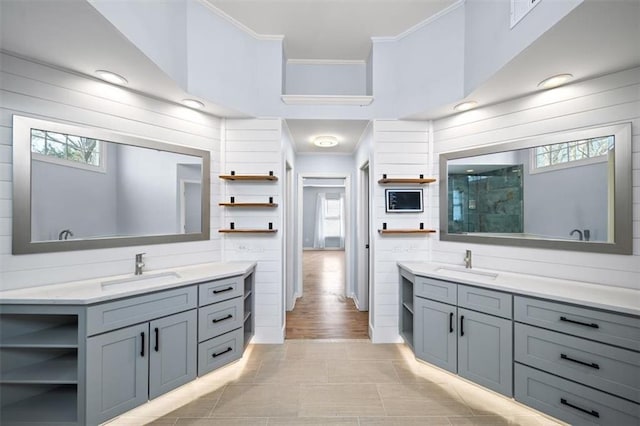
434, 333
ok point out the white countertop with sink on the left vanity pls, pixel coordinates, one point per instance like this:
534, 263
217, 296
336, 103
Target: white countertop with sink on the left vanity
92, 291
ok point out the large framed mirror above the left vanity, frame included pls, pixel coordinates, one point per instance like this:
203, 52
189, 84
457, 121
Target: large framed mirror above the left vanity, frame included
77, 188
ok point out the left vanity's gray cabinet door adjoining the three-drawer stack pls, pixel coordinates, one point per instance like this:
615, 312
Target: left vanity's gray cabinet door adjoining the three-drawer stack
172, 352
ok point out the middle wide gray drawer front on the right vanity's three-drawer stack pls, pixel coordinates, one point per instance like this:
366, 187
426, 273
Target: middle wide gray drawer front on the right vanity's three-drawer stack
608, 368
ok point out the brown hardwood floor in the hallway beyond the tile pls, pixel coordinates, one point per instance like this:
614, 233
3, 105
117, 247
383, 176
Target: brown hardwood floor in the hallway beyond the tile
323, 312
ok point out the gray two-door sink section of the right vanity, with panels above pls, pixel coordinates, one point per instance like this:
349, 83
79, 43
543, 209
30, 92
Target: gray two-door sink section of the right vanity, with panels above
465, 330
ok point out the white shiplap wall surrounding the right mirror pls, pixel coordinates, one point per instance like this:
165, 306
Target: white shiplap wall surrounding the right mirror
608, 99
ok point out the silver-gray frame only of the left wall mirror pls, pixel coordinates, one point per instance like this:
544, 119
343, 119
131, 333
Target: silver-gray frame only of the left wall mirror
21, 240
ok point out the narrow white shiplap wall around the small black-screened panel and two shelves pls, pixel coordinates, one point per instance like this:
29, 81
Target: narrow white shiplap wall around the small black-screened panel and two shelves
400, 150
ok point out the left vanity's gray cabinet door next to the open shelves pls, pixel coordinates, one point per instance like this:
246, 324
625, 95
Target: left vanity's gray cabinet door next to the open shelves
117, 372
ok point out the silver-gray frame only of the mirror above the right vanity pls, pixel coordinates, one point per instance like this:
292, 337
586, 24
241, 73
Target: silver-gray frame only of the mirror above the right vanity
622, 238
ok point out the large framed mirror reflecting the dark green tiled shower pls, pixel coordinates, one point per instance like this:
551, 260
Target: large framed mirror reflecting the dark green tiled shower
570, 191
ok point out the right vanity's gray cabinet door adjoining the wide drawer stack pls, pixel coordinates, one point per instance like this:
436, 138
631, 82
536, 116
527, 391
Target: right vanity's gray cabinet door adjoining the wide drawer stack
485, 353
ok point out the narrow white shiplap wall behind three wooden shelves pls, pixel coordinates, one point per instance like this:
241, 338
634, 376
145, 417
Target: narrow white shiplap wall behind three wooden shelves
254, 146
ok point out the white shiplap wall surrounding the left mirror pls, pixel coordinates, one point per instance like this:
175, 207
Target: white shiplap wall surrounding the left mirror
35, 90
